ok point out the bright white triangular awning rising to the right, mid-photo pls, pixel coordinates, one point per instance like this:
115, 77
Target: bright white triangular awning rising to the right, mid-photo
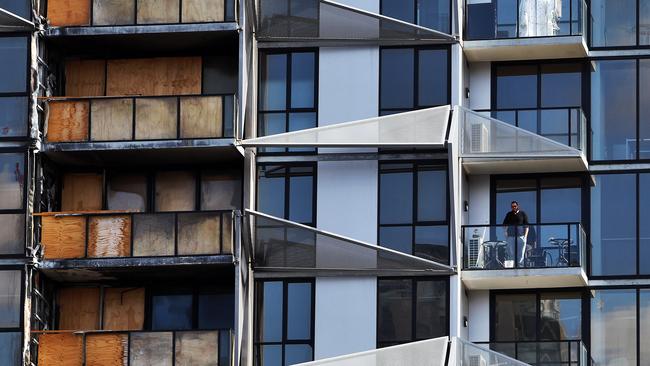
421, 128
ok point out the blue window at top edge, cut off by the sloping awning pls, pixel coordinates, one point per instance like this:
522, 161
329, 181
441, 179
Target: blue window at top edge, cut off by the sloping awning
434, 14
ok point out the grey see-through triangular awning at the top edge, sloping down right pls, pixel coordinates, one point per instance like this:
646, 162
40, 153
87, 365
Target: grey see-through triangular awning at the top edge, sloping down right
324, 22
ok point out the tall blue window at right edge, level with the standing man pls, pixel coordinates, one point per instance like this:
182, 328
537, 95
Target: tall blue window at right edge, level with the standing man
620, 245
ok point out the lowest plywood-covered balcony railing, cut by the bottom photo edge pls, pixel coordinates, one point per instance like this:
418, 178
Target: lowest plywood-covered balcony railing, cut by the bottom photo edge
209, 347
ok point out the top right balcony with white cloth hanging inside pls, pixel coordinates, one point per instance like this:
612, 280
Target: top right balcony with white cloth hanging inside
500, 30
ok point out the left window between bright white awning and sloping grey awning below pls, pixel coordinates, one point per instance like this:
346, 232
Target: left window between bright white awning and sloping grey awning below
287, 191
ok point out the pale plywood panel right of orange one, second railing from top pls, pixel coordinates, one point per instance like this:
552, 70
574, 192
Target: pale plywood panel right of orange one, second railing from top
111, 119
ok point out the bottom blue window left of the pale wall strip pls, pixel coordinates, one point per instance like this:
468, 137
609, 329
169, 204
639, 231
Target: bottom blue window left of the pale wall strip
284, 322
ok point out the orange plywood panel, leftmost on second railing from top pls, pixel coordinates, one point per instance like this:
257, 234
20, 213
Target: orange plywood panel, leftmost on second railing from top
67, 121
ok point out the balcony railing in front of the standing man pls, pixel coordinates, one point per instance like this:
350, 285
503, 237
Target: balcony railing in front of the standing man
497, 247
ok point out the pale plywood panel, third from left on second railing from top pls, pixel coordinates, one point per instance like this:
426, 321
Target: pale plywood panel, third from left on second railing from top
155, 118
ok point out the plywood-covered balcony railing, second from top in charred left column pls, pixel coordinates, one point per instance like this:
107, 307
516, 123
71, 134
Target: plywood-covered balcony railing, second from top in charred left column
112, 119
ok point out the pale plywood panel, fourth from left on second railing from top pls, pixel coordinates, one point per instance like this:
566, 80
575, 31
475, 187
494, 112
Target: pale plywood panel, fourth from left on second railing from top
201, 117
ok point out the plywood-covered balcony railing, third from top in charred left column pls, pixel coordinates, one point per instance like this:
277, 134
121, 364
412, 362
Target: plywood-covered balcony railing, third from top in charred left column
111, 234
